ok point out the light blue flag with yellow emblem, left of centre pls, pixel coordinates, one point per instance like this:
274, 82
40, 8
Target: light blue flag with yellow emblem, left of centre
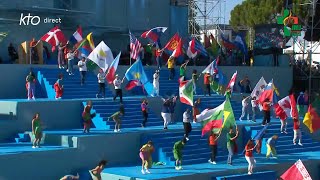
137, 73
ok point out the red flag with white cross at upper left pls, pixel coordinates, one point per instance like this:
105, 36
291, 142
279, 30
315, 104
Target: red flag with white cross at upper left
54, 37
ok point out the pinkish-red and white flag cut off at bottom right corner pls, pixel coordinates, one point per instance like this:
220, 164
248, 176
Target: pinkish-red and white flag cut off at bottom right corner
297, 172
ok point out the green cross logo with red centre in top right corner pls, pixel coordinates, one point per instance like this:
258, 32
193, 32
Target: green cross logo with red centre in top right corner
291, 26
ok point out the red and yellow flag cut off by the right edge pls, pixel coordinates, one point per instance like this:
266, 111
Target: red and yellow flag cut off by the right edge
312, 118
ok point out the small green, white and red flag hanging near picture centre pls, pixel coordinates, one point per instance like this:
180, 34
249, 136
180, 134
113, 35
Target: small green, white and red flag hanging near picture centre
186, 92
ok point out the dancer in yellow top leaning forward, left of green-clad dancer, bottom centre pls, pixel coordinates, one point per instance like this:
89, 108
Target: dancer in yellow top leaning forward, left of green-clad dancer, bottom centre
145, 155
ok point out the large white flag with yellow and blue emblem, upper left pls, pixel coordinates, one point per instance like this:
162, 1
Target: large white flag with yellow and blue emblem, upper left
102, 56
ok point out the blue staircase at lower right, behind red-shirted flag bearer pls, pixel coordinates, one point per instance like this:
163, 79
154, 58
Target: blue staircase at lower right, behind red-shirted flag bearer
285, 144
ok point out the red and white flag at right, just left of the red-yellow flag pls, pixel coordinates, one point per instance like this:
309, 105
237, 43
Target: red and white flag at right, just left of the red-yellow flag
286, 107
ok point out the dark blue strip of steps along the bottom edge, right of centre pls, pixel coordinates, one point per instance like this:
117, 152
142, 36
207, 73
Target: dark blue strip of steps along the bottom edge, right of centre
255, 176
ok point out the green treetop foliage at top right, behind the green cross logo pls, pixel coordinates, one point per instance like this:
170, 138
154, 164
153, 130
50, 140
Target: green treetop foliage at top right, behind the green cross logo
254, 12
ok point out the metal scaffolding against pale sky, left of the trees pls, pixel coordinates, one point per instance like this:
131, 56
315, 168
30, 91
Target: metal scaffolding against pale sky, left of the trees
204, 15
